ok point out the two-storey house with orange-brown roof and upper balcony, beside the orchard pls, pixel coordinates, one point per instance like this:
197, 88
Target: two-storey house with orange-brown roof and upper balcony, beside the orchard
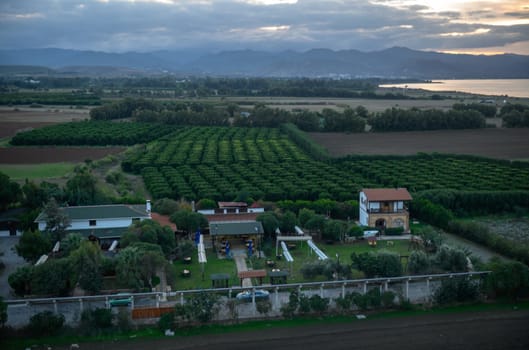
384, 208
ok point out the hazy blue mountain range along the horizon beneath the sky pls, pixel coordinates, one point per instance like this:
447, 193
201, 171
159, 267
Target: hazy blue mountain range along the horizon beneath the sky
396, 62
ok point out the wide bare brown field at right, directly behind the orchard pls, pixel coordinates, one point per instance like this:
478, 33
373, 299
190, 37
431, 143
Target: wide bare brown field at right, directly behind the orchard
494, 143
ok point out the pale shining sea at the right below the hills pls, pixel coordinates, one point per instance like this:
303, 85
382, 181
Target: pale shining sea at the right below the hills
496, 87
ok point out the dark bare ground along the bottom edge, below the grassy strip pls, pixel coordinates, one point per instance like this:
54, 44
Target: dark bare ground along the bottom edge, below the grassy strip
467, 331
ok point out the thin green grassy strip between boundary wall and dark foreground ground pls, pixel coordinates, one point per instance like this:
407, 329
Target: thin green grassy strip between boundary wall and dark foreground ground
153, 333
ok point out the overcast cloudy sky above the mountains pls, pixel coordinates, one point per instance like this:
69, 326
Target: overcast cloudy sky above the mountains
144, 25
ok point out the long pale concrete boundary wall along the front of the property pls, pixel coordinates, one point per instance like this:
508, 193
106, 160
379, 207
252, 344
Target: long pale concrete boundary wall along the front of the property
417, 289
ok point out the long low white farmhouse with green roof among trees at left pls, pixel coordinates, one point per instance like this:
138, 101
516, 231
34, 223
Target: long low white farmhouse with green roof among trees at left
101, 221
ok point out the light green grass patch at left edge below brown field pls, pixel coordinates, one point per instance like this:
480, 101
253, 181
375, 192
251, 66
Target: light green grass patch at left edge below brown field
36, 171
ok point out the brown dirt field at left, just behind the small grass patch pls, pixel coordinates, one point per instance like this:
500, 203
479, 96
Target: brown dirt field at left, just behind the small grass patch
36, 155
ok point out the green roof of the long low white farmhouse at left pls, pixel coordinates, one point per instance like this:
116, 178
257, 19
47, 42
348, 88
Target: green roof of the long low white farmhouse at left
112, 211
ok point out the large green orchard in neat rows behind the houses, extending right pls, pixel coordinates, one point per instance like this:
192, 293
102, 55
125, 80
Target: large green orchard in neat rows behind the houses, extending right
264, 162
